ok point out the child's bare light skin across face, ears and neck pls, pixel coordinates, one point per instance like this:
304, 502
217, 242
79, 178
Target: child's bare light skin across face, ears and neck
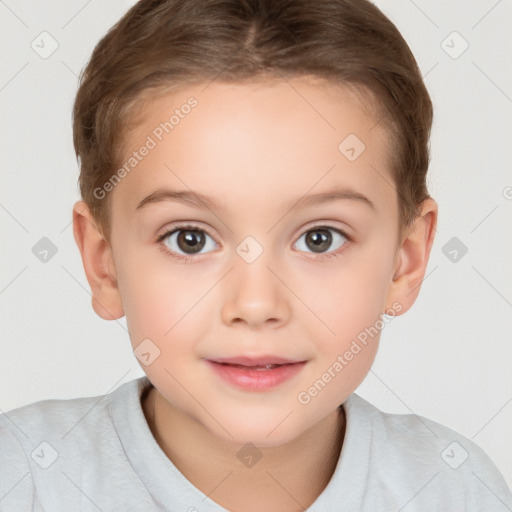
257, 149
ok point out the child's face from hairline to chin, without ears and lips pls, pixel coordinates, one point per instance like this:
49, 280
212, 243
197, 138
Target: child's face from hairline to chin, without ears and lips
256, 150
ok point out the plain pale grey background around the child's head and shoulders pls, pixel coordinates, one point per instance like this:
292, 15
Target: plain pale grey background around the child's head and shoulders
449, 358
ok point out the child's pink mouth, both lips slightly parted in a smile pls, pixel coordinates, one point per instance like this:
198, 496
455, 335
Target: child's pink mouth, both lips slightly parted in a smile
258, 375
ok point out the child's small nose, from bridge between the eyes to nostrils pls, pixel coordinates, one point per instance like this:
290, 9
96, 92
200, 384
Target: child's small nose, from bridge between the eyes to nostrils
253, 293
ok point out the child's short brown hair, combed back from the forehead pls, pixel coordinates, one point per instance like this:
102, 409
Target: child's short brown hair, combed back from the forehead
163, 43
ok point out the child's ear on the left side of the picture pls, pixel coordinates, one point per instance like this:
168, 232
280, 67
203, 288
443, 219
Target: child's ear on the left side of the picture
98, 263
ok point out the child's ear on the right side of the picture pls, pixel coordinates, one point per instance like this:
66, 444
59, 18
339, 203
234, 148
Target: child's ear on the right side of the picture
412, 258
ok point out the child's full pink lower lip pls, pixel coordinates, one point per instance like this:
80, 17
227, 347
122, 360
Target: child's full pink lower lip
256, 380
